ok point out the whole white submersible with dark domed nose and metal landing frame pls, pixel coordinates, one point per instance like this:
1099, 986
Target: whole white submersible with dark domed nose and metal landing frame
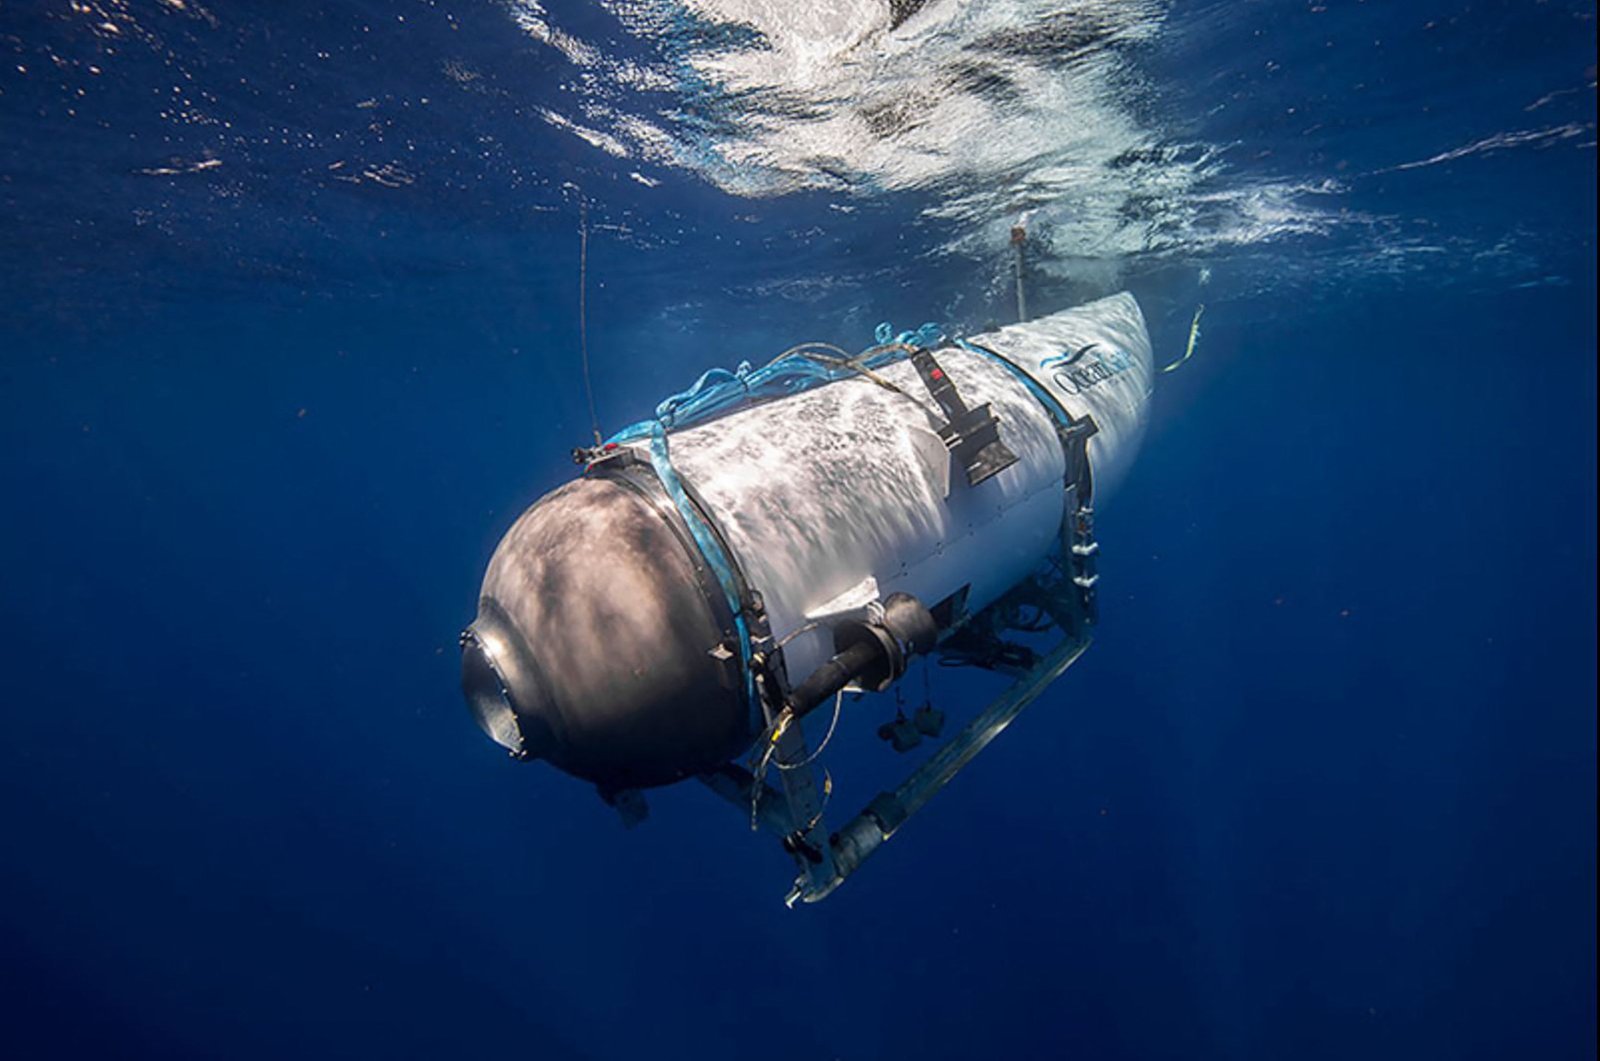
778, 537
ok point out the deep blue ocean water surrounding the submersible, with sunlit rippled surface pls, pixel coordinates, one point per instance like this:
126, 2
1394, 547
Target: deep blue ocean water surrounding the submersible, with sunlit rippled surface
289, 335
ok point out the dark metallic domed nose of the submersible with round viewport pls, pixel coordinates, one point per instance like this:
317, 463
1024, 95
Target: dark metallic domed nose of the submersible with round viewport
598, 647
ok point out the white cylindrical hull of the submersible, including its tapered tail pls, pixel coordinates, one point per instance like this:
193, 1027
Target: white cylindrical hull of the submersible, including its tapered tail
846, 494
